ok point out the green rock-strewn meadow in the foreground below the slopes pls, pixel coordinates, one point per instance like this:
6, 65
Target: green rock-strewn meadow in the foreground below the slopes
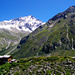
40, 66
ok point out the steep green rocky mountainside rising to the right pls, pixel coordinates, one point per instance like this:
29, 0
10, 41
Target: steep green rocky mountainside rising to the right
56, 37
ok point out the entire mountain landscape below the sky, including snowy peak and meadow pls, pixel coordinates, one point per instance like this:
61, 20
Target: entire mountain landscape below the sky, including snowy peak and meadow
37, 48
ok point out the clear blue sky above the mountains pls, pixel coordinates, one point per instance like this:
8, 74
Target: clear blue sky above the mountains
40, 9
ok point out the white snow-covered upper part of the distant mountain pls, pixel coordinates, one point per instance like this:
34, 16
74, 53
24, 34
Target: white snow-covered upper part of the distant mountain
28, 23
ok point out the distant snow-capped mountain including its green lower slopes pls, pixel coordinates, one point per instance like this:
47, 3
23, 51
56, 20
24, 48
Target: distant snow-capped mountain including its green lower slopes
13, 30
